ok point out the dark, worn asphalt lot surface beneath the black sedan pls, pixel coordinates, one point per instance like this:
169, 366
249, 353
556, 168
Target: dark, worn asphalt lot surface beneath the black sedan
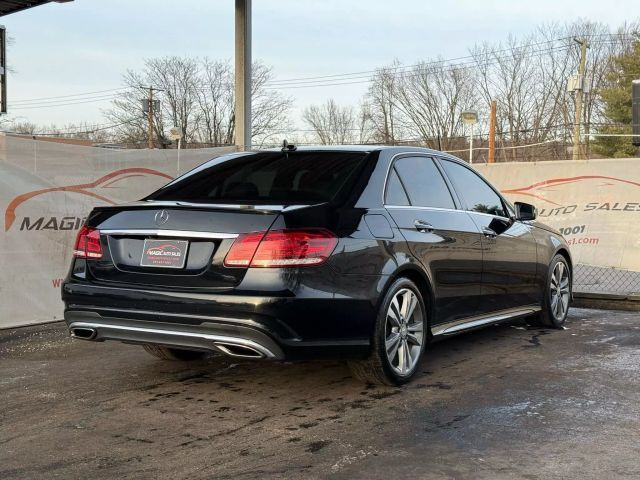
505, 402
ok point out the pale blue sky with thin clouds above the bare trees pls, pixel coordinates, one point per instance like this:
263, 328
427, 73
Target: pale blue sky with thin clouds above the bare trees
86, 45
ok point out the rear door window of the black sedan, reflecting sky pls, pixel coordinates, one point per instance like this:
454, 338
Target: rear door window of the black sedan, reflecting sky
424, 183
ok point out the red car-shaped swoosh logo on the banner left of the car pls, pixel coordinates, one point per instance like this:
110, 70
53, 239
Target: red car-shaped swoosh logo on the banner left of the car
111, 178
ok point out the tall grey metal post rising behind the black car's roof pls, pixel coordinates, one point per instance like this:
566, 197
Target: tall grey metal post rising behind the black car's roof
243, 75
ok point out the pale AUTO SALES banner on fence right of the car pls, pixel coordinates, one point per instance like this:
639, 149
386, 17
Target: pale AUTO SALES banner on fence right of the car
595, 204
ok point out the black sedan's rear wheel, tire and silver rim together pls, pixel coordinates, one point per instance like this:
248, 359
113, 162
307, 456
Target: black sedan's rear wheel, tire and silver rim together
399, 338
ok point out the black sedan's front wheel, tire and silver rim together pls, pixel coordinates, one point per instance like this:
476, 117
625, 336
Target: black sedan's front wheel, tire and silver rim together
557, 296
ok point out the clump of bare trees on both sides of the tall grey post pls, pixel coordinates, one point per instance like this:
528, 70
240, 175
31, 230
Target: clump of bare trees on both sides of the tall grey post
198, 97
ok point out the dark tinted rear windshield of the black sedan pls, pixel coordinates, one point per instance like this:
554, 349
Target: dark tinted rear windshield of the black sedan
267, 177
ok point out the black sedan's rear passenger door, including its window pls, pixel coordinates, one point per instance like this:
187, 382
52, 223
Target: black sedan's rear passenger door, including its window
443, 238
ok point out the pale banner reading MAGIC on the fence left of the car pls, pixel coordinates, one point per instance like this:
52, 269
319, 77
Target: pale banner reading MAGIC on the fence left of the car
46, 191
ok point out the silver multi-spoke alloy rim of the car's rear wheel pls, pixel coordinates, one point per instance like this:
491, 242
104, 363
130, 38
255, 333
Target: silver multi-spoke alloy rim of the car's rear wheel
404, 331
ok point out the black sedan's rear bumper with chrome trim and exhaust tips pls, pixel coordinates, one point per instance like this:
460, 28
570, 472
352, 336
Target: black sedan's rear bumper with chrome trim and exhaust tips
286, 327
